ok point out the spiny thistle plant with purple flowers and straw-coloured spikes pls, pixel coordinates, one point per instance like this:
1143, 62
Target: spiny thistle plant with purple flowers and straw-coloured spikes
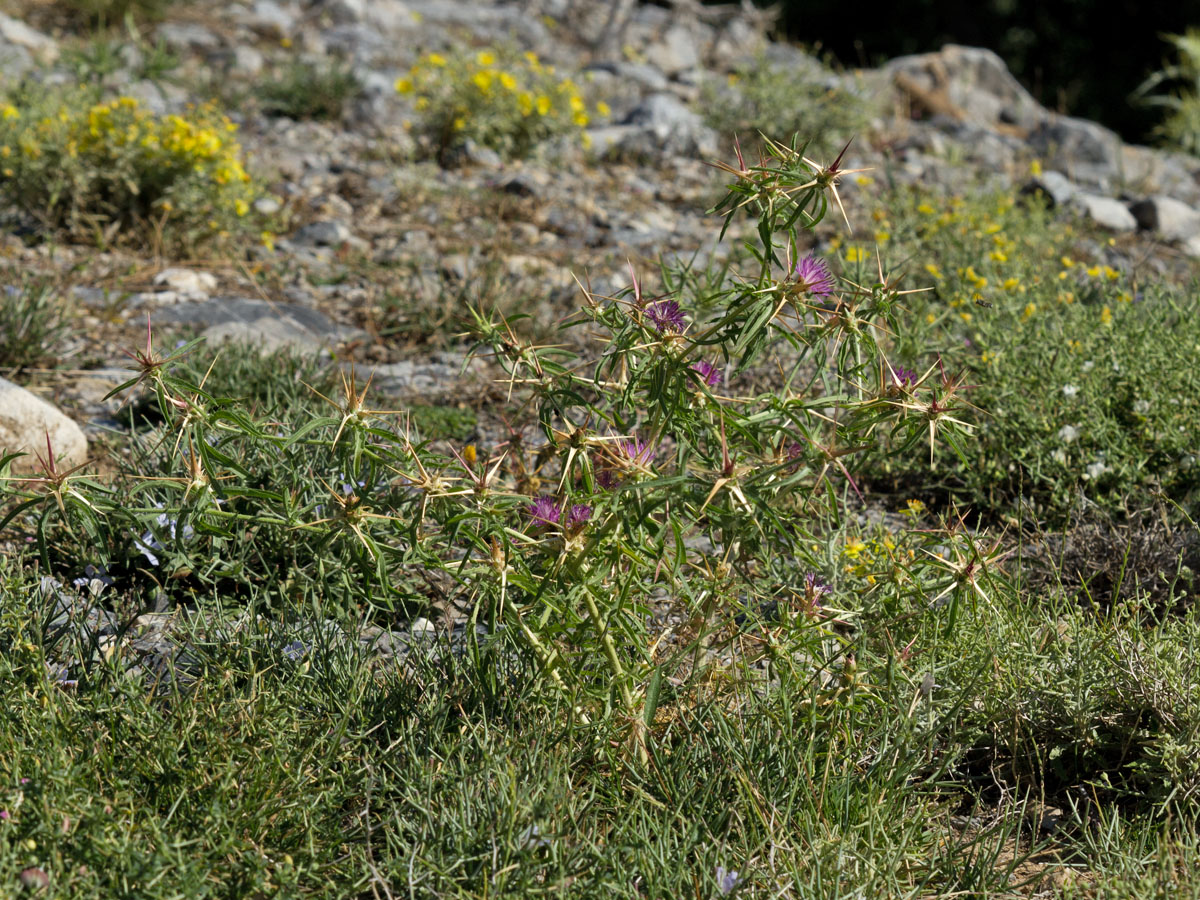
662, 482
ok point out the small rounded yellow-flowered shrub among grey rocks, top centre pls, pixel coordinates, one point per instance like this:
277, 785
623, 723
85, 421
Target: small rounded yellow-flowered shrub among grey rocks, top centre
508, 105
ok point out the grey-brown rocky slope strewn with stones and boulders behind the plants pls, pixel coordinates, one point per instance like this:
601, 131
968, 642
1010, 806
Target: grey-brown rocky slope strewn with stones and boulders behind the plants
381, 253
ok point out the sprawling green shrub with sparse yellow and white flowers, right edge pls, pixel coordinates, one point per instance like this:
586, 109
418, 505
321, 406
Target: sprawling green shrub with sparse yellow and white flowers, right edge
1084, 387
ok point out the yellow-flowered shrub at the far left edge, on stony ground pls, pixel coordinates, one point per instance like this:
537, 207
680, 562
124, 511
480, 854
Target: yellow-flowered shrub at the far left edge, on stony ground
118, 171
